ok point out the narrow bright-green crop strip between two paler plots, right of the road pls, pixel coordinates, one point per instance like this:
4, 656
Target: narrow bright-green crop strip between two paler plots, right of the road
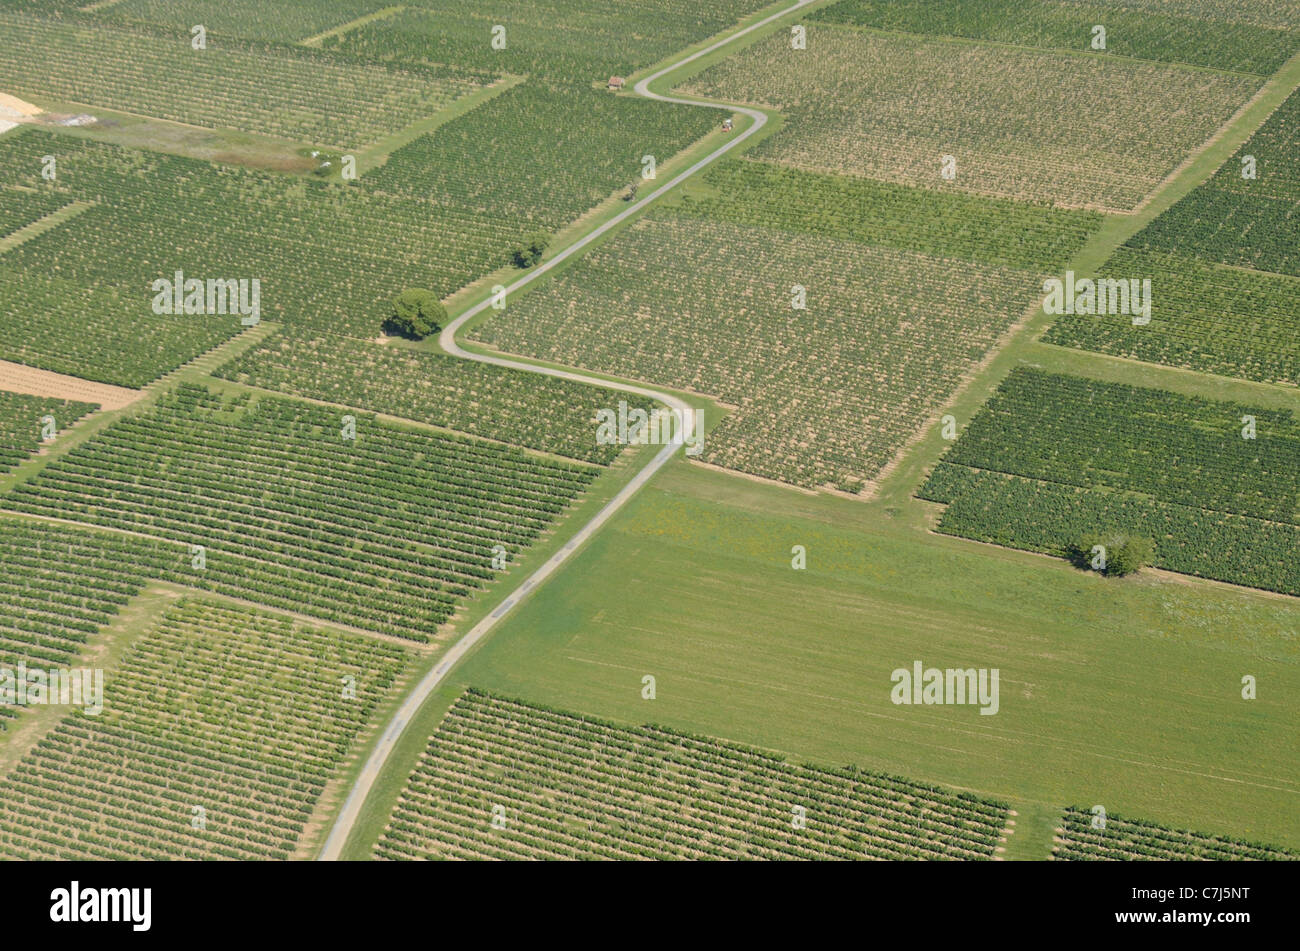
950, 225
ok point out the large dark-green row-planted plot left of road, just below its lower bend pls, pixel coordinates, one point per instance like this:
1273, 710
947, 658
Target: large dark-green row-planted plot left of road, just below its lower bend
391, 532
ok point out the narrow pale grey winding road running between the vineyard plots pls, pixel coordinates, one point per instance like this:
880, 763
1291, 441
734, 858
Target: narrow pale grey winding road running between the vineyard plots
348, 817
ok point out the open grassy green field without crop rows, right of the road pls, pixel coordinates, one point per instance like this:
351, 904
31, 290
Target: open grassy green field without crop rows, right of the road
1125, 694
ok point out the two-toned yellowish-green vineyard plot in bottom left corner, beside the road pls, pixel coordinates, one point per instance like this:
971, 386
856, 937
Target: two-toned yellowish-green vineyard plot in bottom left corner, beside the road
219, 733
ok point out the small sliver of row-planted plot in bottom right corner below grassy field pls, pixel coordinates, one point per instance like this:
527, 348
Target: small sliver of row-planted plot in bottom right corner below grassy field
1129, 840
